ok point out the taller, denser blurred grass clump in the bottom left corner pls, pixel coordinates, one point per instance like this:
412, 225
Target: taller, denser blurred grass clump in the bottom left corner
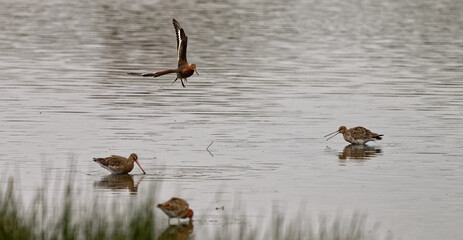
96, 220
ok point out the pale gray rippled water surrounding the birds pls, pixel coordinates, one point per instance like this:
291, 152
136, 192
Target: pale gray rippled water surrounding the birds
275, 77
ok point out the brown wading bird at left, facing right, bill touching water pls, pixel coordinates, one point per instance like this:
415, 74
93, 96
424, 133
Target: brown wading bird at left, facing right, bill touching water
119, 165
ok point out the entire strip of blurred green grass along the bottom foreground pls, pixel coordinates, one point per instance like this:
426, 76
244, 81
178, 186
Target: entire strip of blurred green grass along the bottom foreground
98, 221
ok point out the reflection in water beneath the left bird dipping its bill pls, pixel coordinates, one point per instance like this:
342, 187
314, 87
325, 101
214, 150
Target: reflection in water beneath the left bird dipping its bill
118, 182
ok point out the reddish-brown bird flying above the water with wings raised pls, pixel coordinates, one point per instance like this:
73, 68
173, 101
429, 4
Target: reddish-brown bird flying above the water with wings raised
184, 70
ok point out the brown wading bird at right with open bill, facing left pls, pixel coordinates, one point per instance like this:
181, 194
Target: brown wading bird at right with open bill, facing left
356, 135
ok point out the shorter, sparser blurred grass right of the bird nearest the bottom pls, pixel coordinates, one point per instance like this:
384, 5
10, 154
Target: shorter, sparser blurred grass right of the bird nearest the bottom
302, 228
